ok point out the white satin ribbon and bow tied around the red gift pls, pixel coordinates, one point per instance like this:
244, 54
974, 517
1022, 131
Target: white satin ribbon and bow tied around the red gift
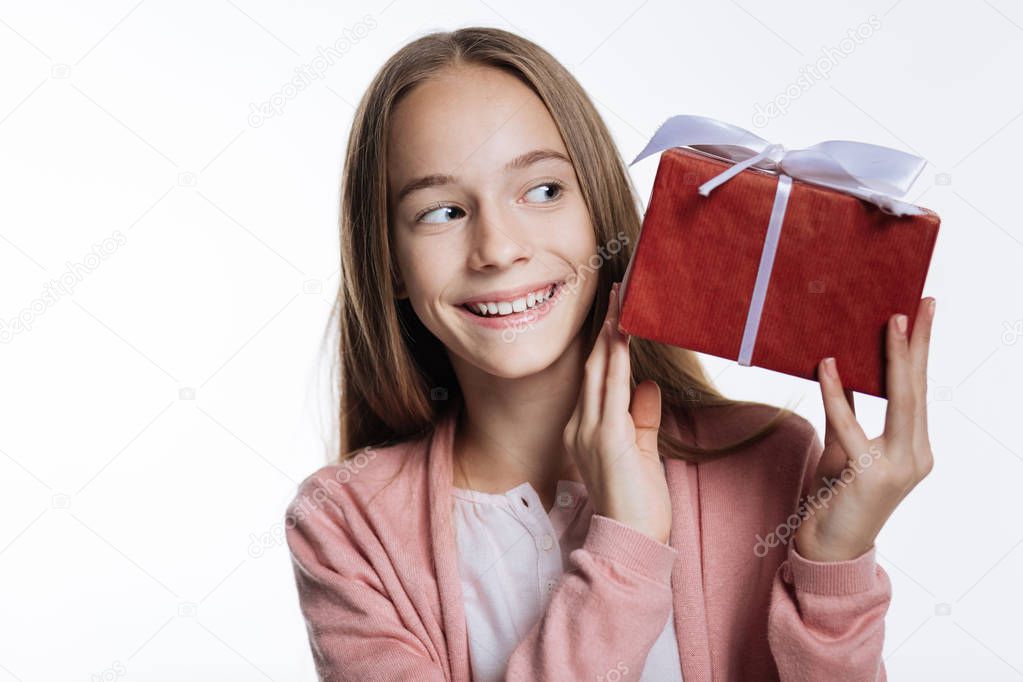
870, 172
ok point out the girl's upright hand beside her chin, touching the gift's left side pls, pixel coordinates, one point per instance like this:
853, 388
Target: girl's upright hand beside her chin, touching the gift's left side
614, 443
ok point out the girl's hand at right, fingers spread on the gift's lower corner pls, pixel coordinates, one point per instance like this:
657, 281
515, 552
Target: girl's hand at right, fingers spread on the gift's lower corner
881, 471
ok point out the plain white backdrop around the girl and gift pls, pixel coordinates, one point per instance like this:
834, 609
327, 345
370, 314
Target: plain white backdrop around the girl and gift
156, 419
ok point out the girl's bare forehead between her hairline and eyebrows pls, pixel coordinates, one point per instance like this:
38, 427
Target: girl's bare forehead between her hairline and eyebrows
468, 122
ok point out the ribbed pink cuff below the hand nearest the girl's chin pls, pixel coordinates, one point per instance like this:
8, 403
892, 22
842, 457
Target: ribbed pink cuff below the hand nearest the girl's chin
628, 547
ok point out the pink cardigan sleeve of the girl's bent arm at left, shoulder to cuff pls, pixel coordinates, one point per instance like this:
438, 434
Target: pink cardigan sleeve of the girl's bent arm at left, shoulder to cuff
605, 615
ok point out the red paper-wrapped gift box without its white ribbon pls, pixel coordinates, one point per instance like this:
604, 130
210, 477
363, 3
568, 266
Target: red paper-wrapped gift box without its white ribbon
841, 267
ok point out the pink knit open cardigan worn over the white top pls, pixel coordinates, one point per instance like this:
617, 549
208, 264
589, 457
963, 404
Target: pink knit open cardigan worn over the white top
377, 571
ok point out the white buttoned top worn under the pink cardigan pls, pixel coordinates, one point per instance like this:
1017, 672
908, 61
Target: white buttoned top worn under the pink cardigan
512, 555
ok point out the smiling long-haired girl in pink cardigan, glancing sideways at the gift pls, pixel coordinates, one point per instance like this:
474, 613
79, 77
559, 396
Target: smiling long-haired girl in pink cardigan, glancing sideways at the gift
525, 493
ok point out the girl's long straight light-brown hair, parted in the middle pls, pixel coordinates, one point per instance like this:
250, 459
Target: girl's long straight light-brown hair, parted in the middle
394, 377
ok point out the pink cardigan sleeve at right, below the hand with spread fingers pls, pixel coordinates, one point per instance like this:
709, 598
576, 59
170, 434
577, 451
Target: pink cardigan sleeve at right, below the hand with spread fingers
826, 619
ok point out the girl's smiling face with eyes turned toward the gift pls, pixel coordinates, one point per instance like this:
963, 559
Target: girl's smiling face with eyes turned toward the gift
485, 208
